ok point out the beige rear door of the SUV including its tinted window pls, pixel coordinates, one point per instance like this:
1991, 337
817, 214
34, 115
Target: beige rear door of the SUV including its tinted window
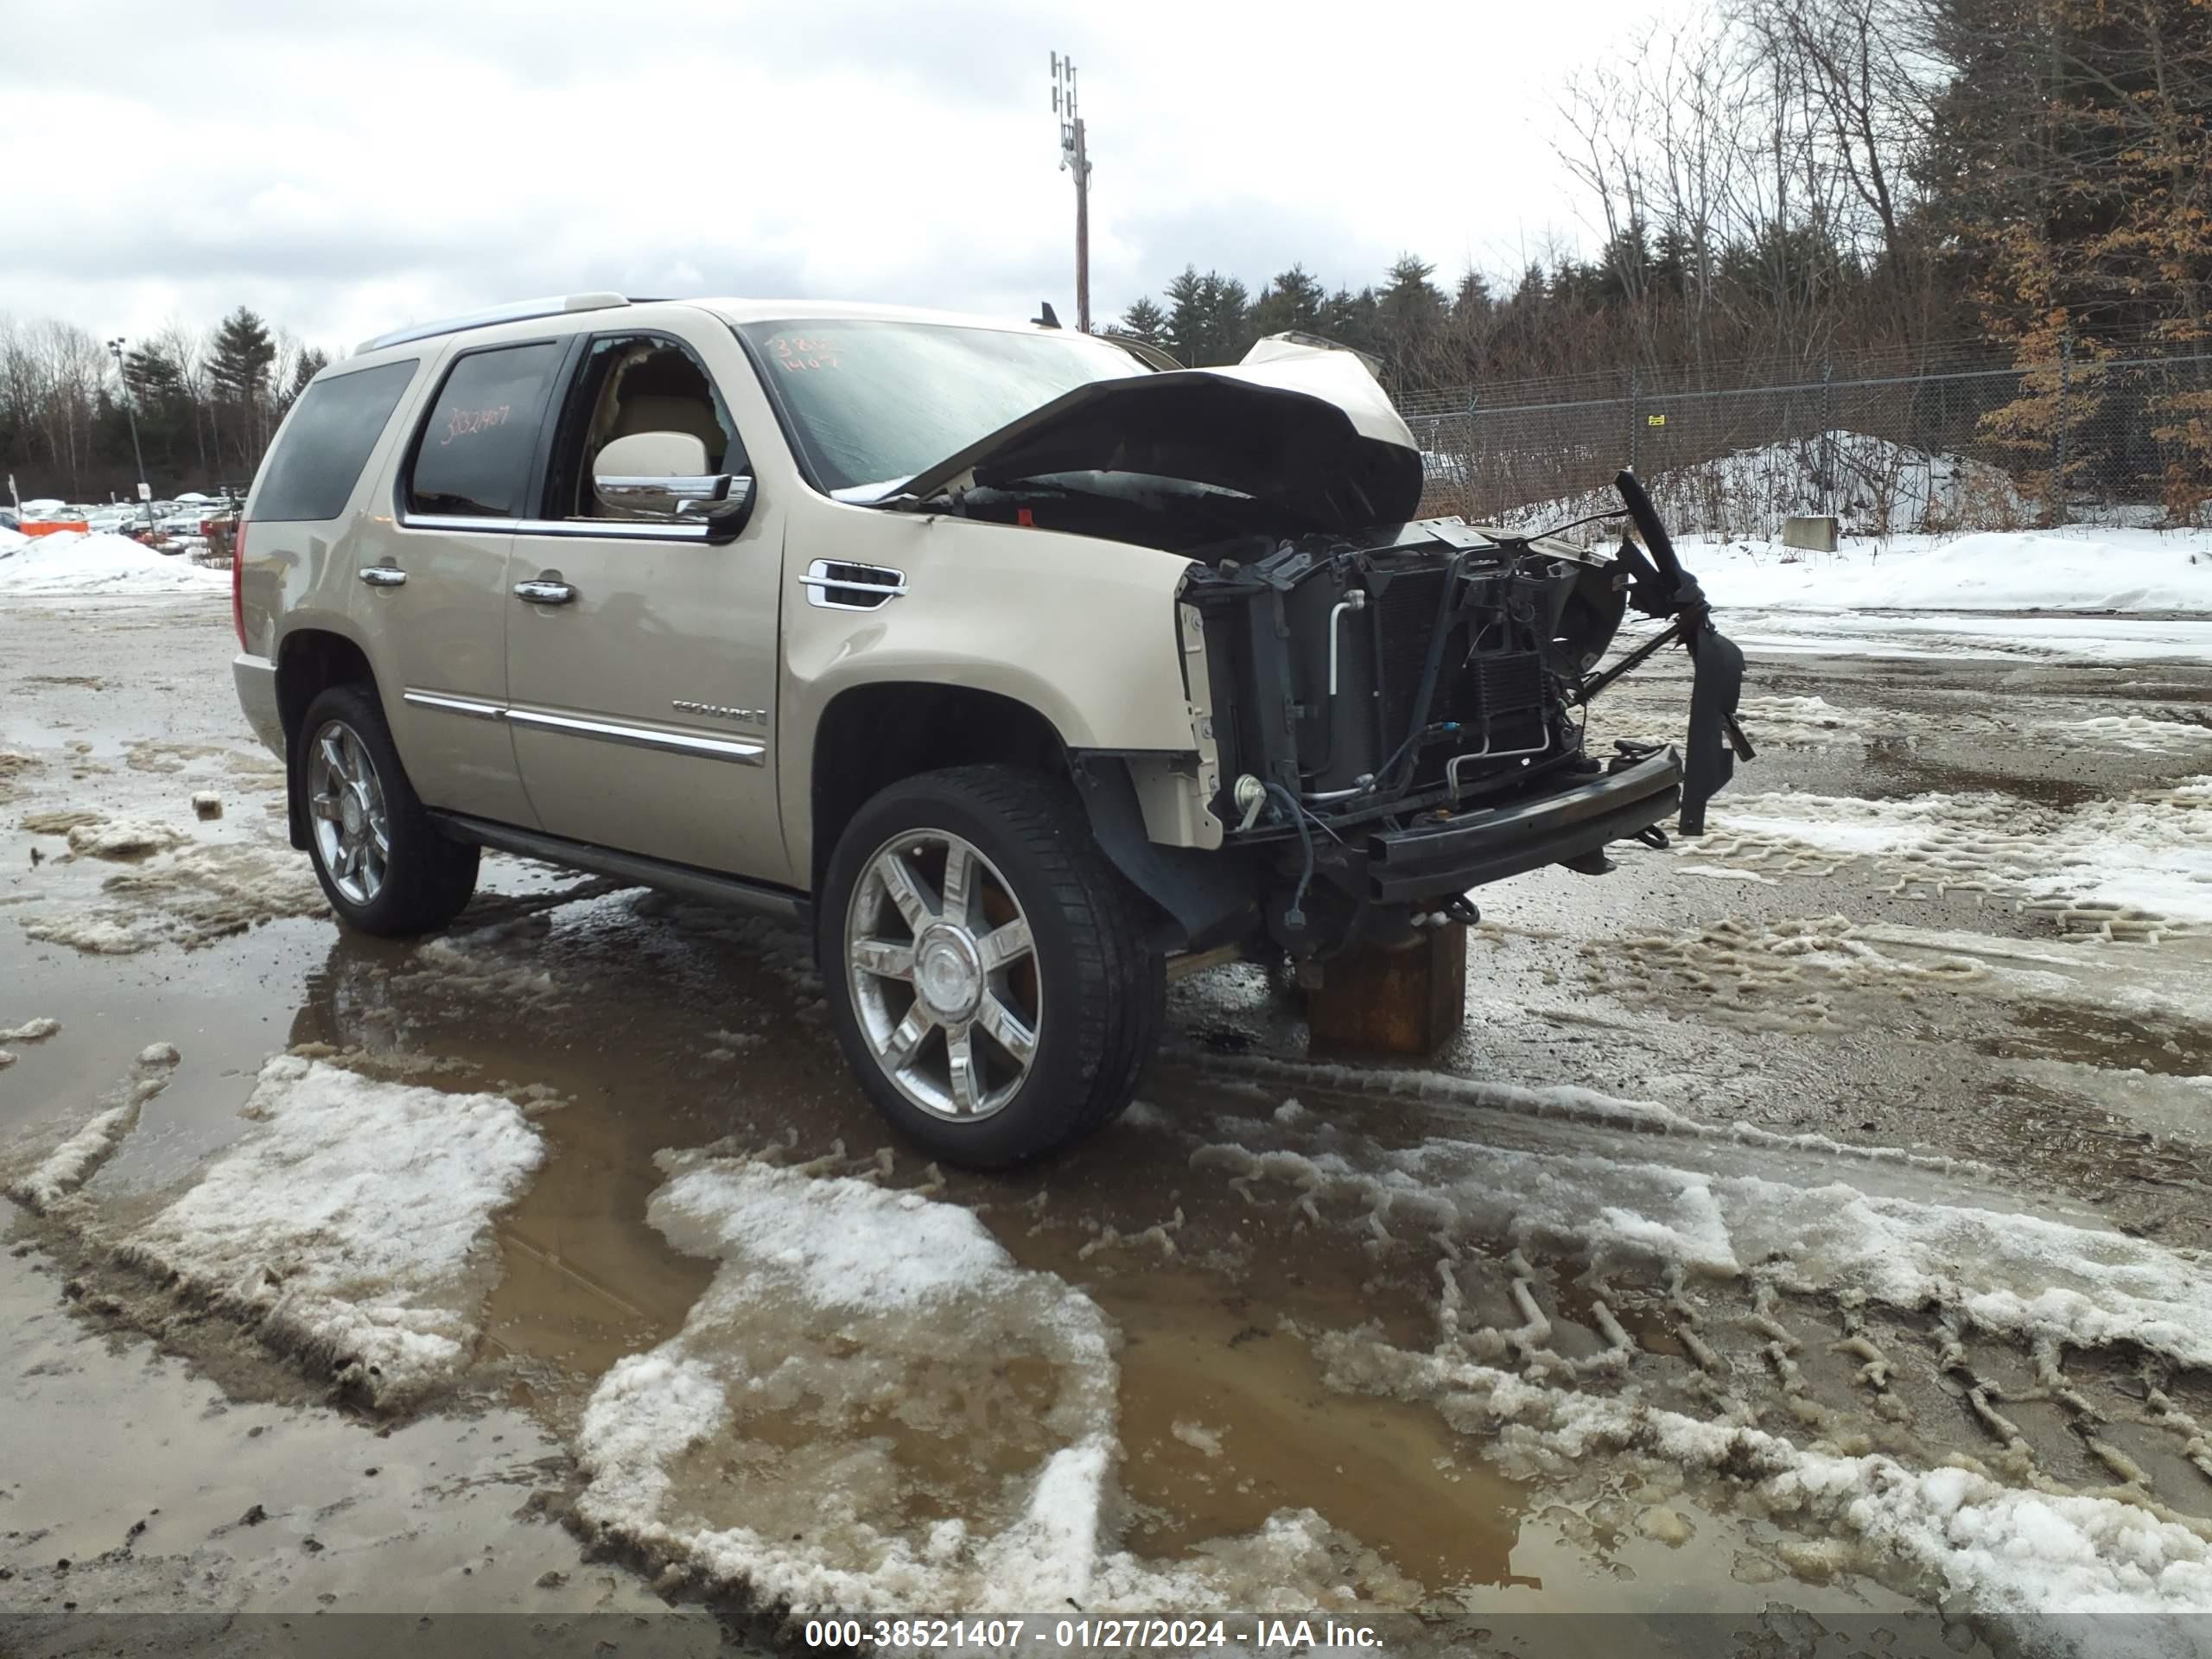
444, 603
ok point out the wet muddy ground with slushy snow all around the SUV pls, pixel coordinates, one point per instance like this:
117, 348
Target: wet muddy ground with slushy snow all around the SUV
1861, 1140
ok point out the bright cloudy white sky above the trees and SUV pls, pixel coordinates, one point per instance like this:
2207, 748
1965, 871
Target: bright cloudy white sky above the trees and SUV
344, 169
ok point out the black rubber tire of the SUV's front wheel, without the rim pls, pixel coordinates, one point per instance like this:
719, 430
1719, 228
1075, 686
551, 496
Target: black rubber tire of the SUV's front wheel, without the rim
1100, 990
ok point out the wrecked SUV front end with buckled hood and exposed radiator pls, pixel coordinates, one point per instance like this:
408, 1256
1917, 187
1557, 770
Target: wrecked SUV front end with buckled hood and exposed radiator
1390, 709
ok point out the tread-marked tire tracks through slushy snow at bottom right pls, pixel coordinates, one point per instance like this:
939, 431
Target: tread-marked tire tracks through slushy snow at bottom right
1574, 1315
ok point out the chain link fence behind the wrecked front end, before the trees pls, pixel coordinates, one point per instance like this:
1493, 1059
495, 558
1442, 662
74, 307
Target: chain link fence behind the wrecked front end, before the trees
1952, 446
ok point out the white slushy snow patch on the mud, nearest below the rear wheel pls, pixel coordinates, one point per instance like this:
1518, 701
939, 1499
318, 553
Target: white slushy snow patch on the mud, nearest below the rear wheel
351, 1224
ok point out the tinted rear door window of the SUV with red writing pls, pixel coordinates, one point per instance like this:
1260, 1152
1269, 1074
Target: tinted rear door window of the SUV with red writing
474, 455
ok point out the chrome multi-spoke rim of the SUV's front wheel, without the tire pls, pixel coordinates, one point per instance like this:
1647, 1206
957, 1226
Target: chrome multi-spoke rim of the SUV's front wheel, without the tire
943, 974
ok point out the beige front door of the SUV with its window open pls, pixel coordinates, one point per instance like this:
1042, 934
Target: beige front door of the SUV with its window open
643, 658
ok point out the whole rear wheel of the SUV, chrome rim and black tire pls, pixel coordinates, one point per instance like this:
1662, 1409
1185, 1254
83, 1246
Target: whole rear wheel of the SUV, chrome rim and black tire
377, 853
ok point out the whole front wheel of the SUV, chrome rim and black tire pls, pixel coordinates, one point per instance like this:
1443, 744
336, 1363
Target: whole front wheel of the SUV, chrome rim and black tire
985, 966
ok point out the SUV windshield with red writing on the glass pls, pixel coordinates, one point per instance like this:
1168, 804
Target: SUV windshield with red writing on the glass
875, 404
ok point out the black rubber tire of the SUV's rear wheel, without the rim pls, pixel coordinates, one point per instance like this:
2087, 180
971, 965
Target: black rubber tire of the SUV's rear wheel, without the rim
426, 877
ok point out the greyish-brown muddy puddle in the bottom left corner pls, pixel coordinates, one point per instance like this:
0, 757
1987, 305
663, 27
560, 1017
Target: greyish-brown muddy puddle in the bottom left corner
147, 1477
